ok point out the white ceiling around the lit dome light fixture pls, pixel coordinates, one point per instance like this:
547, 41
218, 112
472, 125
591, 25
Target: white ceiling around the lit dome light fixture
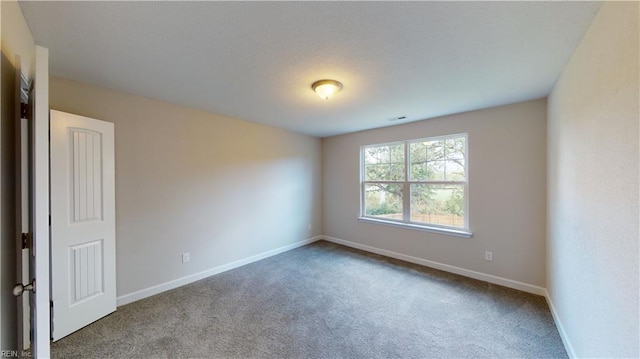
256, 60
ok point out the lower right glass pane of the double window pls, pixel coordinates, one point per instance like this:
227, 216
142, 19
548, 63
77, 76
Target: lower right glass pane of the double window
438, 204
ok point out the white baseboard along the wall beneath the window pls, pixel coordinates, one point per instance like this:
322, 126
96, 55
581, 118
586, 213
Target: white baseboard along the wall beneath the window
529, 288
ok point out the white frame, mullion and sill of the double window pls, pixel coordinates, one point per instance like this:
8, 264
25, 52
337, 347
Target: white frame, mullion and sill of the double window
406, 189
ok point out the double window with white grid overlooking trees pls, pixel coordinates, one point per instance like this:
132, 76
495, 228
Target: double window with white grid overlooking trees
419, 183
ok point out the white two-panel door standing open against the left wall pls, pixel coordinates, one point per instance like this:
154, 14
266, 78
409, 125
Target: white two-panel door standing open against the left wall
83, 266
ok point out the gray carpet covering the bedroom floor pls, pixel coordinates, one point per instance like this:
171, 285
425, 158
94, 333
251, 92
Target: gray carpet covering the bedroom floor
325, 301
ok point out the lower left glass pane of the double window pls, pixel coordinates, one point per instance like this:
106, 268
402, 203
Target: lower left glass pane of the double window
383, 200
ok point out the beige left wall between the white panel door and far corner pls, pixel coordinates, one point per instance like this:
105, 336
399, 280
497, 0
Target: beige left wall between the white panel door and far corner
190, 181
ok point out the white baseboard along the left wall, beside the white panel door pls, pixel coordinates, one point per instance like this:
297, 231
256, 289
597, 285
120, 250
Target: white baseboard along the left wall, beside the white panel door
156, 289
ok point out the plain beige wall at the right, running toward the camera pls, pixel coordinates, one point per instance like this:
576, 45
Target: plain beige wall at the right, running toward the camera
593, 188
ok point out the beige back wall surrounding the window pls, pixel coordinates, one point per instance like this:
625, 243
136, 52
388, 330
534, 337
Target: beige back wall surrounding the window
507, 172
